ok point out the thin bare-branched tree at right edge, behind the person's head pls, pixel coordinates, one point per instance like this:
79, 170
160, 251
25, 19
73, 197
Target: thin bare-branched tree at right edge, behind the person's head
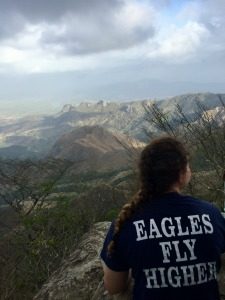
204, 134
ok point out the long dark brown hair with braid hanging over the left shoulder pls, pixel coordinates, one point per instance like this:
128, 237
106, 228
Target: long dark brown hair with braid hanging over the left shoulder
160, 165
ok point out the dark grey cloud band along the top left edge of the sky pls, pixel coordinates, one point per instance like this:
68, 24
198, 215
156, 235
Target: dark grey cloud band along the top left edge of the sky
14, 13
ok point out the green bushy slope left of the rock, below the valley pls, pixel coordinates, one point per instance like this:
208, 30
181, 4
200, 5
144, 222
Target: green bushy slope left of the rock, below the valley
34, 249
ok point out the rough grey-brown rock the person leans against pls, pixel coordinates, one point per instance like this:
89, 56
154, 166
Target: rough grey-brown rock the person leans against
80, 276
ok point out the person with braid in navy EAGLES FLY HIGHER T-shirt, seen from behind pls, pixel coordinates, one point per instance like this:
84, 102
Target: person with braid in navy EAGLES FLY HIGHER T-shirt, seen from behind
169, 243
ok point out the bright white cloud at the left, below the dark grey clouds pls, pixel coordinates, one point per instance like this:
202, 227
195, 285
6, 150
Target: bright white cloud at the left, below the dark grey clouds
24, 54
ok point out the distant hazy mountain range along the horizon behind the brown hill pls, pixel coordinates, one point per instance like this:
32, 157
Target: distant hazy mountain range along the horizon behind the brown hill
37, 136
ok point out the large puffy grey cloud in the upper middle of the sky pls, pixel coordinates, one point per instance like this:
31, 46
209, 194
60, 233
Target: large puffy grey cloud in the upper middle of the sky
84, 35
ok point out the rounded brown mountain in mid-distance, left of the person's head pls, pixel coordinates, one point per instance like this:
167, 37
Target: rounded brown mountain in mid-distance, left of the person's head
94, 148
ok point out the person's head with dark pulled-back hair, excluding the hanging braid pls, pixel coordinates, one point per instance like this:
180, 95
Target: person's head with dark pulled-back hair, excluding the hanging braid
163, 166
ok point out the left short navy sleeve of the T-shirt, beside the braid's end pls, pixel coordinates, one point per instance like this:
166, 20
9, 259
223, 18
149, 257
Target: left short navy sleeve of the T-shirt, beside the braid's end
115, 261
